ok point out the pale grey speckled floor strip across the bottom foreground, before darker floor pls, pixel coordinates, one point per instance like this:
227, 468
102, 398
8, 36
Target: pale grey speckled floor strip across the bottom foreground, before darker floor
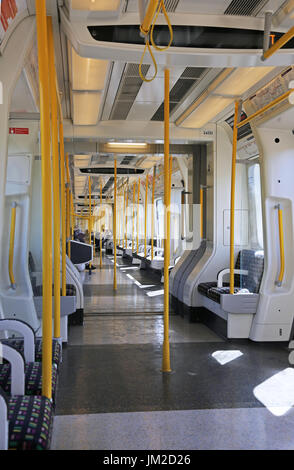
231, 429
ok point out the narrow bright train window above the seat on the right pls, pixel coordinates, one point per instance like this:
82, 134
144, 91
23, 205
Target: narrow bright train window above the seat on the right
254, 195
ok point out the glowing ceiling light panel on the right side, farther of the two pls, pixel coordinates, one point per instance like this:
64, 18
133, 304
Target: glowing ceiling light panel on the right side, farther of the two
206, 111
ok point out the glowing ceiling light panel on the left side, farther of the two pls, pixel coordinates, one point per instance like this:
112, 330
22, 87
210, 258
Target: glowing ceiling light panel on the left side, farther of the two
86, 108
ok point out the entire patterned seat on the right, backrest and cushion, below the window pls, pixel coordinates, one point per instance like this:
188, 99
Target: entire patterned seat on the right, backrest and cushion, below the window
249, 267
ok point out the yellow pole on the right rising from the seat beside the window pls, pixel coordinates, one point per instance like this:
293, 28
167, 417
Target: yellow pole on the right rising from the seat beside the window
233, 189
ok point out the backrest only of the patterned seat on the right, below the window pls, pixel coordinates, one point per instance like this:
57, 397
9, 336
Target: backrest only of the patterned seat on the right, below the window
253, 262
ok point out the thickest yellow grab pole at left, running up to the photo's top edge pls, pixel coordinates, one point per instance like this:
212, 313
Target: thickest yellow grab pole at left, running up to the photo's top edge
42, 39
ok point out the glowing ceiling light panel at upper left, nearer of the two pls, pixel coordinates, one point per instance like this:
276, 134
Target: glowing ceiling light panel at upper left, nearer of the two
88, 74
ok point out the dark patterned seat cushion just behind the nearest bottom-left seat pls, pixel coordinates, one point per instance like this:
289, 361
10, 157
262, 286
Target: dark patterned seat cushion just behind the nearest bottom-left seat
33, 379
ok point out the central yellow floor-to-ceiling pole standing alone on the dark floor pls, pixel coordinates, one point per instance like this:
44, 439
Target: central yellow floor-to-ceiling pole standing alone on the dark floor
166, 350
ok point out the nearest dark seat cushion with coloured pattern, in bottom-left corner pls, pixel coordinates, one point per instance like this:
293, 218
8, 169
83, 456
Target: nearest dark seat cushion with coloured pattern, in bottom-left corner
30, 423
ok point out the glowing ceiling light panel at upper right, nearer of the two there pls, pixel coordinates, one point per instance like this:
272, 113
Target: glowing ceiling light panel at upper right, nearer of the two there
242, 80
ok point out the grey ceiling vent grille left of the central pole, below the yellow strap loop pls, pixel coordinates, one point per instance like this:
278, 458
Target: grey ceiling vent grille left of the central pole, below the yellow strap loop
127, 92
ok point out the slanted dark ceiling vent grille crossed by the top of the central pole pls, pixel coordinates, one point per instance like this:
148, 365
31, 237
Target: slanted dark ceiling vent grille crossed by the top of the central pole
189, 78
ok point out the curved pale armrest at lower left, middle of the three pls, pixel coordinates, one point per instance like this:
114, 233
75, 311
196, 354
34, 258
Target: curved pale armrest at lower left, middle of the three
17, 369
